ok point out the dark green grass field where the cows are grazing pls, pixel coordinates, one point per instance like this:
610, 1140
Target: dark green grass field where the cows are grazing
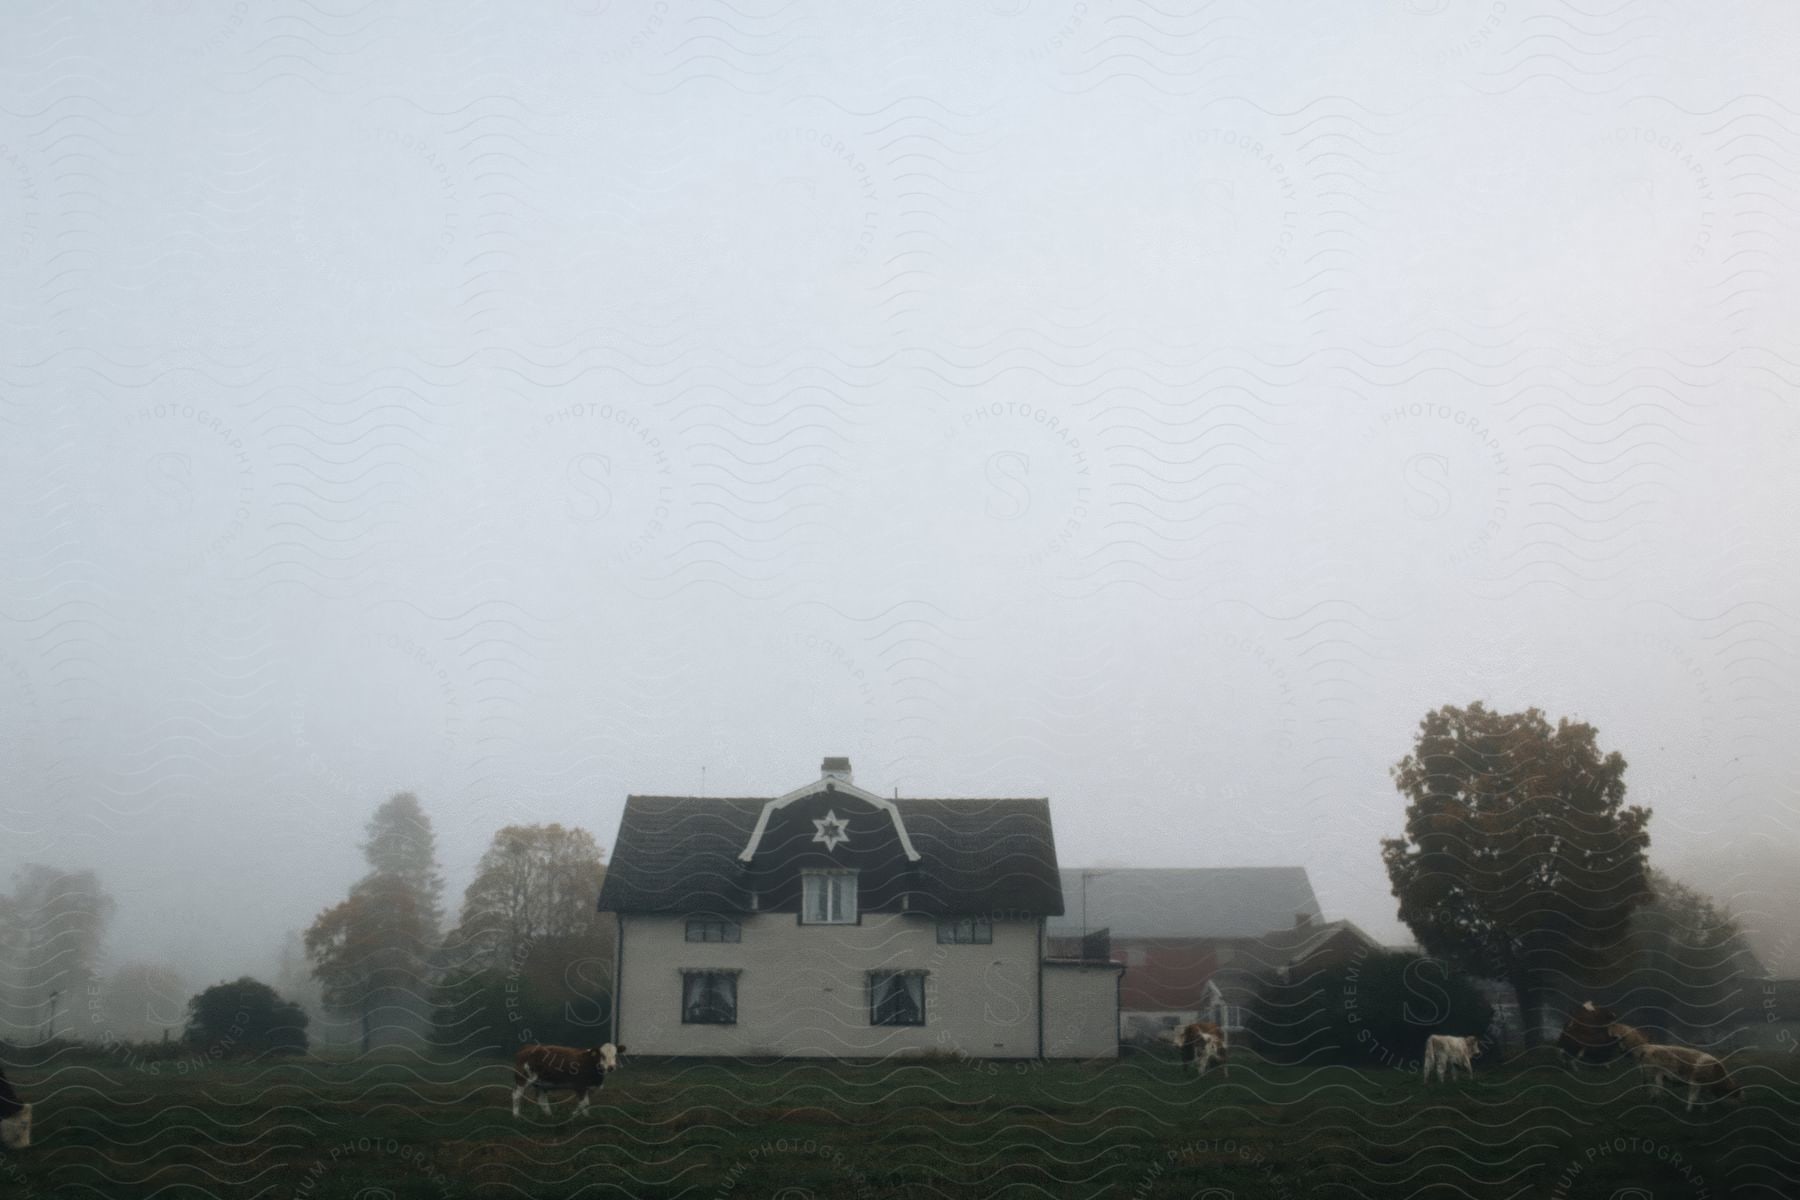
413, 1127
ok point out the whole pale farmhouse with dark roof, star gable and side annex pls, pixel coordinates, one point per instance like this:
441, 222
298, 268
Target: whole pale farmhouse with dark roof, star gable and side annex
838, 924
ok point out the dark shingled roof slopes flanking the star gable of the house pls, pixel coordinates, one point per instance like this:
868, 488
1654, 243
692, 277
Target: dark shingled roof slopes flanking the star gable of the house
679, 854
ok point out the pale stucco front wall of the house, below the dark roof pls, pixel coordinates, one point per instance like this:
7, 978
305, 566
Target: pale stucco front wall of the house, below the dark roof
804, 989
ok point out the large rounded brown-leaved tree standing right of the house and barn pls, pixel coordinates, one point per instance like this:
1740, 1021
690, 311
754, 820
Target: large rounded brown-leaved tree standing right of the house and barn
1522, 859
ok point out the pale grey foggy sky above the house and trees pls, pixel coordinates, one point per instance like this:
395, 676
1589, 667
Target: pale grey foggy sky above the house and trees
1158, 413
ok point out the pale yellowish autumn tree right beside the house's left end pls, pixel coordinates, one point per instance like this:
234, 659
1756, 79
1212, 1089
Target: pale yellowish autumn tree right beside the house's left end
530, 958
